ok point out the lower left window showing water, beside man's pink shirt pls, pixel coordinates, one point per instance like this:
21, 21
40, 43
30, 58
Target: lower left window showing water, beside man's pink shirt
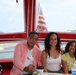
7, 49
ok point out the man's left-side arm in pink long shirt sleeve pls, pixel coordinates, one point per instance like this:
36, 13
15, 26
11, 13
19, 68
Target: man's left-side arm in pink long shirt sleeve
17, 57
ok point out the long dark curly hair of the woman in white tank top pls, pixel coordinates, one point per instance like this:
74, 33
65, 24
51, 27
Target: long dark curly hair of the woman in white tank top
47, 43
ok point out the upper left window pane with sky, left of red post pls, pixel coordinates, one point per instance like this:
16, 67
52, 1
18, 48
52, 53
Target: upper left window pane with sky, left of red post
11, 16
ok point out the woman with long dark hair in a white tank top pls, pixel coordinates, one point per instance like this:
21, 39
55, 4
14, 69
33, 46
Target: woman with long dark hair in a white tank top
51, 57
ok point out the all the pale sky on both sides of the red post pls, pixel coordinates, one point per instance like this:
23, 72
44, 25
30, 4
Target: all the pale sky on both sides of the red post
60, 15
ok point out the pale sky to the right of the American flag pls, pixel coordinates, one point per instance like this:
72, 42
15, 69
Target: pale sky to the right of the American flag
60, 15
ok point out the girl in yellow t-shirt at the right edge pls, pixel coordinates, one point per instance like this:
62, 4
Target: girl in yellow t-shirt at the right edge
69, 56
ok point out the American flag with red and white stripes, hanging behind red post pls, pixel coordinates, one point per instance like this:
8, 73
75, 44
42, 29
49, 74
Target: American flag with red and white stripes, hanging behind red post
41, 25
